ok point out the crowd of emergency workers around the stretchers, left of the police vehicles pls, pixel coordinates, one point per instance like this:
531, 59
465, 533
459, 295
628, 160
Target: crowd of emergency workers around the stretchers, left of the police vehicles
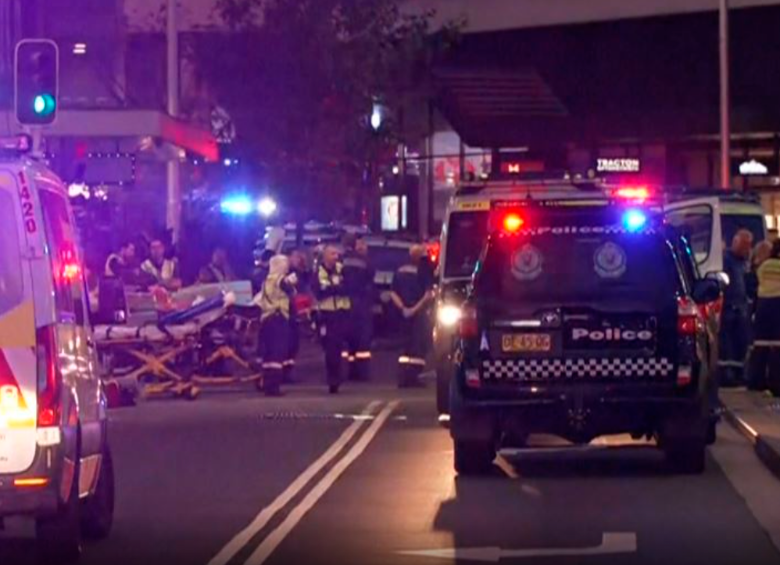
340, 279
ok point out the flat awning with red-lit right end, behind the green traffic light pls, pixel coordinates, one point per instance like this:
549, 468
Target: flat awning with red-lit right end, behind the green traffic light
130, 123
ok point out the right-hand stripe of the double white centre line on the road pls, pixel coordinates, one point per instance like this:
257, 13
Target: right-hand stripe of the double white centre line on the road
269, 545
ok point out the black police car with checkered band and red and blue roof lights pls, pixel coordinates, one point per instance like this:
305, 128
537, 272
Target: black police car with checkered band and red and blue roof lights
586, 318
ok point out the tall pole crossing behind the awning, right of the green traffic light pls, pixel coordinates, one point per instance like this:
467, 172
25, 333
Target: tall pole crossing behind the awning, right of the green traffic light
173, 211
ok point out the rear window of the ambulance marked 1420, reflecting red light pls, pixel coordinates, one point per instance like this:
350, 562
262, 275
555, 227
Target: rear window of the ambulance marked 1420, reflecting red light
65, 265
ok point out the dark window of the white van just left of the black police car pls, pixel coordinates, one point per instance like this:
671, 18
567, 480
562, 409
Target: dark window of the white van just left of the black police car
466, 234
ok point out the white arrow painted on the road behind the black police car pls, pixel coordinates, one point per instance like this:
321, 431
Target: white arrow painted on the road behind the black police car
611, 543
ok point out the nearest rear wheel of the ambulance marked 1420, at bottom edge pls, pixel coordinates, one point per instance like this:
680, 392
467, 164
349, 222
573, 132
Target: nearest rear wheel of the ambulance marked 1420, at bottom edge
59, 536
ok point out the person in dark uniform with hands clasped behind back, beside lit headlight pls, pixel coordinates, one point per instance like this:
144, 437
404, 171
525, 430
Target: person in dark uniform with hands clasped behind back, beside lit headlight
412, 295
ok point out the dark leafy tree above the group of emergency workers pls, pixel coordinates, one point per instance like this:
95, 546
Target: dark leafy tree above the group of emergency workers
301, 77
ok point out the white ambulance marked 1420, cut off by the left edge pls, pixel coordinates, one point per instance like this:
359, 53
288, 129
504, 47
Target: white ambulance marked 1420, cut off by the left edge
55, 463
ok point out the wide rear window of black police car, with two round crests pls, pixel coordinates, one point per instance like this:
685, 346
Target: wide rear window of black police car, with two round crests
571, 268
